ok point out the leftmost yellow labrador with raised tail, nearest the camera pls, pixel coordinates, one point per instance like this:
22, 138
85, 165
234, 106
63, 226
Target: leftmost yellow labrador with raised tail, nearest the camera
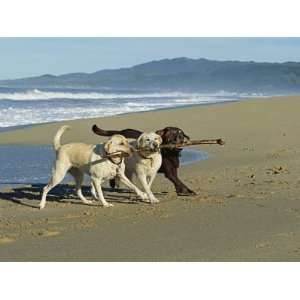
79, 159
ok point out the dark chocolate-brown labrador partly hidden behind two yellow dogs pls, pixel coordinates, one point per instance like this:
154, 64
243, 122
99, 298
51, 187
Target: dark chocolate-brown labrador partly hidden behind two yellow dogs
170, 157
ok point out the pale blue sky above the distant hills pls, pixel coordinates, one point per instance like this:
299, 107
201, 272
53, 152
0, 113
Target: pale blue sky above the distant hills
24, 57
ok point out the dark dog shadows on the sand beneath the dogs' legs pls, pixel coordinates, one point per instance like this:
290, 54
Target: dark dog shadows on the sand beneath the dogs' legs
30, 195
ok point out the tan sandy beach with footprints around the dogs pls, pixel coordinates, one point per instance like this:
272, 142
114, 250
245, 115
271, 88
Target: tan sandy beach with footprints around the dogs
247, 207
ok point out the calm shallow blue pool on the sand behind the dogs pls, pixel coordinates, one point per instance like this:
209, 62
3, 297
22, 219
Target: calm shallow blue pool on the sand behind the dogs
33, 164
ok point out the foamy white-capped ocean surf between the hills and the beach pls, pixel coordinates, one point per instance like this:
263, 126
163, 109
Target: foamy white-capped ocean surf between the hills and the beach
20, 106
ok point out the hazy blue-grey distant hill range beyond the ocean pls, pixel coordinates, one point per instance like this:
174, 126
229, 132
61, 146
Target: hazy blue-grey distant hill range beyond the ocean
180, 74
